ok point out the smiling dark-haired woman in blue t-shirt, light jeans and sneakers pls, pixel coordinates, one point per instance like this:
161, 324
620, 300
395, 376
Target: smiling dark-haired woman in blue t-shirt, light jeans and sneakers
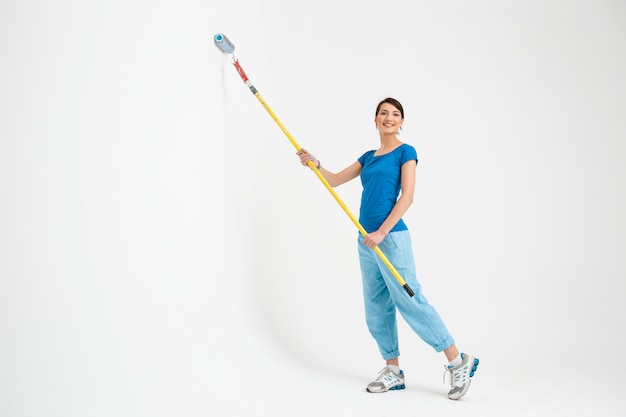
388, 179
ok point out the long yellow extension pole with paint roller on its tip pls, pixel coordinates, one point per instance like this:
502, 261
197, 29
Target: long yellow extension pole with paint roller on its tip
227, 47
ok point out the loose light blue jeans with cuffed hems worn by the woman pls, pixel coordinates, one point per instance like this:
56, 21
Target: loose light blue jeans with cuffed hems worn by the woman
383, 294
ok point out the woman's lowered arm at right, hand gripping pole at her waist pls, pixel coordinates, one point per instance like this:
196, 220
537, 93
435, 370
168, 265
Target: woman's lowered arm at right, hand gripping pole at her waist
407, 183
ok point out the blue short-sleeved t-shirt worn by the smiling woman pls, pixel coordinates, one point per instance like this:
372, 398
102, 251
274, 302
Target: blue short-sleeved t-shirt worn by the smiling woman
380, 178
